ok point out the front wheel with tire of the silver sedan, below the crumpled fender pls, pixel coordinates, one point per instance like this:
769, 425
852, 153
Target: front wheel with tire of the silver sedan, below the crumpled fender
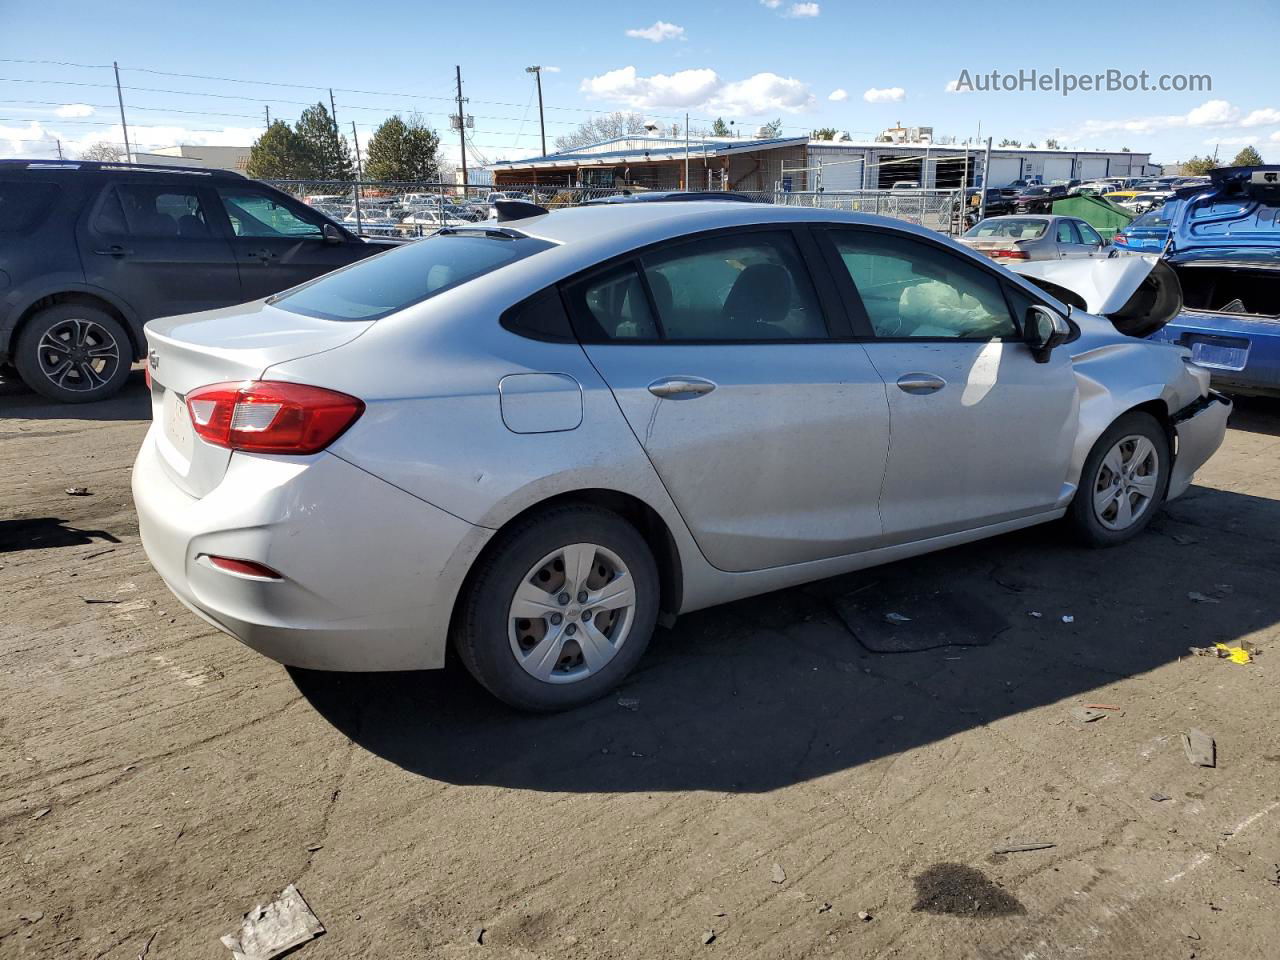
1123, 483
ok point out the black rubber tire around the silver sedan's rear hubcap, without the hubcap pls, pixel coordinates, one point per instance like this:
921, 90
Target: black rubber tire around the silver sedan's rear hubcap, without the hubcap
481, 633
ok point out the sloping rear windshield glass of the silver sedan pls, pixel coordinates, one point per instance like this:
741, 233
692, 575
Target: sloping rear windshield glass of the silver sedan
417, 272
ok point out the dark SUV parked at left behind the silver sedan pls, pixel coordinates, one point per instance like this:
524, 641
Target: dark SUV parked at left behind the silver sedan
90, 253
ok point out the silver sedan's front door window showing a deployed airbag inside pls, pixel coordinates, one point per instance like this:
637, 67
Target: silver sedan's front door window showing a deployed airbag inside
916, 290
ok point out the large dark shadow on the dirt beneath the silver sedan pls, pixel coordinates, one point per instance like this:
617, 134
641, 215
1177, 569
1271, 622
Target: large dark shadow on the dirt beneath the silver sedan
778, 689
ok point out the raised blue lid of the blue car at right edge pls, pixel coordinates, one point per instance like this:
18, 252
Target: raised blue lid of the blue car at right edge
1233, 220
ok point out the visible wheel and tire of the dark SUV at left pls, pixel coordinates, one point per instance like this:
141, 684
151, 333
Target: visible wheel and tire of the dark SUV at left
85, 382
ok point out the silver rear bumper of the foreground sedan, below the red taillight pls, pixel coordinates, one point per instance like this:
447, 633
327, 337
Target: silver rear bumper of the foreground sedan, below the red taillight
369, 574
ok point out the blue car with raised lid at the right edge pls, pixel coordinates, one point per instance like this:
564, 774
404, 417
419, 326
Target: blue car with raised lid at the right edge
1226, 249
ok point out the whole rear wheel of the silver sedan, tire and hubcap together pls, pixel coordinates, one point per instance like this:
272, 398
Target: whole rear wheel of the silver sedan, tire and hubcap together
560, 610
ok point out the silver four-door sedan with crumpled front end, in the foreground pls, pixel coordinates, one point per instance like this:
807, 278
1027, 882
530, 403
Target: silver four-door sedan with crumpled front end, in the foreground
534, 438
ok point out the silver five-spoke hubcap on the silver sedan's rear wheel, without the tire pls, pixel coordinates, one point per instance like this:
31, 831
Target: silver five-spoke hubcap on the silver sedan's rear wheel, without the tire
572, 614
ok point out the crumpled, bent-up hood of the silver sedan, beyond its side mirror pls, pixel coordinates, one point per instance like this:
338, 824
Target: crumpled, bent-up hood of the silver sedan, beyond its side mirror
1137, 294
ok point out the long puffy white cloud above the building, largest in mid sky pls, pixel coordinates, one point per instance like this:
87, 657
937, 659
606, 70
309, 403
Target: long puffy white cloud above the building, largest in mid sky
761, 94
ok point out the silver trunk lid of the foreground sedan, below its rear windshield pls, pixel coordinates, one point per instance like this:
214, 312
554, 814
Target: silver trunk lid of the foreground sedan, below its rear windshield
220, 346
